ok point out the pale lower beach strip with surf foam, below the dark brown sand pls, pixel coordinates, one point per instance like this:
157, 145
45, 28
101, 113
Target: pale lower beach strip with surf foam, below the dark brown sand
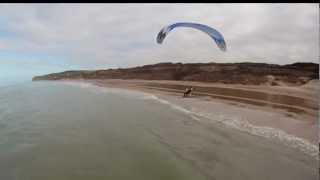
296, 130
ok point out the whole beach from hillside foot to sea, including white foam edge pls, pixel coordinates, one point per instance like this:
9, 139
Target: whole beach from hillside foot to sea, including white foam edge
288, 114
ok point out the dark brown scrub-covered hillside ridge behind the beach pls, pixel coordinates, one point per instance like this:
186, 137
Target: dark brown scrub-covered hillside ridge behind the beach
228, 73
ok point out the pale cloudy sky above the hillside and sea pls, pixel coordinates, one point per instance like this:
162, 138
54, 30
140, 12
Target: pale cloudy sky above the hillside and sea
39, 38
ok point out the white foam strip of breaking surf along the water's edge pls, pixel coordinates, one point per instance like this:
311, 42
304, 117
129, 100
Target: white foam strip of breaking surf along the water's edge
243, 125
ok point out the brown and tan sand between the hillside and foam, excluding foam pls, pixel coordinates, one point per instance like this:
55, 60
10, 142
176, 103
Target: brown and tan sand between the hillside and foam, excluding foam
293, 110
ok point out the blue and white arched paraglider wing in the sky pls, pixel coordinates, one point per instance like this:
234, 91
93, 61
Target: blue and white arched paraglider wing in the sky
214, 34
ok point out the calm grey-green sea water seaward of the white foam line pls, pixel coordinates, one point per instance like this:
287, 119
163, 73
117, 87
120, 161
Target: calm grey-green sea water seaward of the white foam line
78, 131
